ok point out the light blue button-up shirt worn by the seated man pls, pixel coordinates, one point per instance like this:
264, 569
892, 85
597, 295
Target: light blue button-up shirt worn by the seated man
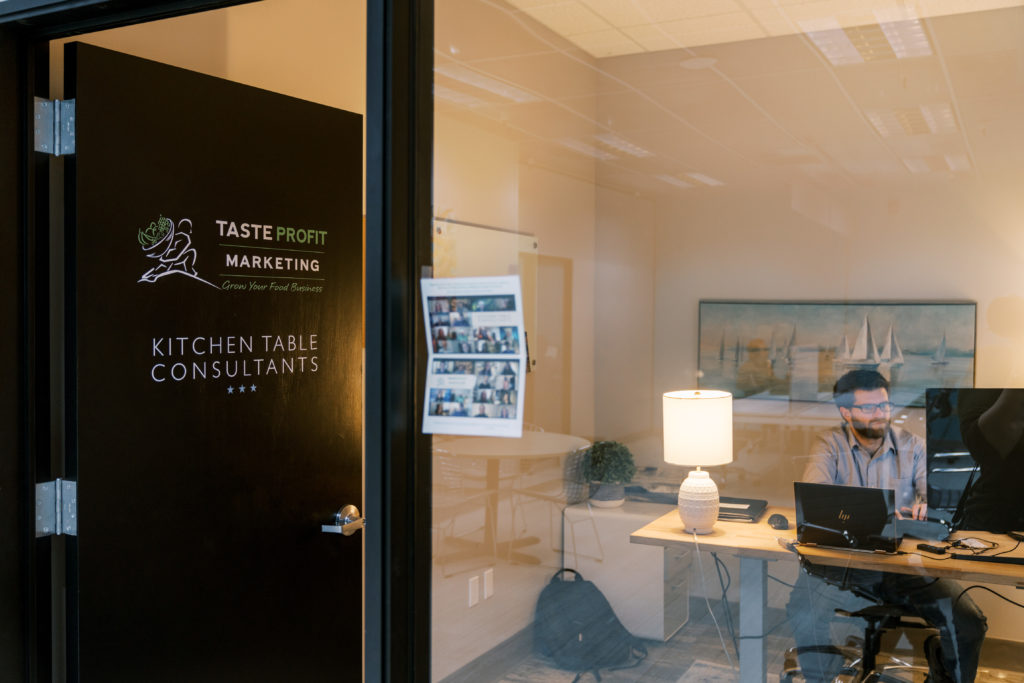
900, 464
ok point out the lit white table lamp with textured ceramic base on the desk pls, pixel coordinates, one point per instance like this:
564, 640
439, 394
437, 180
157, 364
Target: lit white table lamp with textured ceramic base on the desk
698, 434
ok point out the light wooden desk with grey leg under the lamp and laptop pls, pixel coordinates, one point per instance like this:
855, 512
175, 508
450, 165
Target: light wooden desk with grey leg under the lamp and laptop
758, 544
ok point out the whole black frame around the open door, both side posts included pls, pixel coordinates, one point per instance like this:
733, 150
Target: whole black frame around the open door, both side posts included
400, 41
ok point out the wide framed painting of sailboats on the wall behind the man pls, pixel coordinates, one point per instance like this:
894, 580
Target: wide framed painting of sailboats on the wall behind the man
798, 350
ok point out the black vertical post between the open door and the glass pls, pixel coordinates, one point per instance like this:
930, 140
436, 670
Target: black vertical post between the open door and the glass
400, 158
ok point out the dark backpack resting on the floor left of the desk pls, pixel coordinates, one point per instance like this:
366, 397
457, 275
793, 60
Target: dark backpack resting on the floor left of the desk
576, 627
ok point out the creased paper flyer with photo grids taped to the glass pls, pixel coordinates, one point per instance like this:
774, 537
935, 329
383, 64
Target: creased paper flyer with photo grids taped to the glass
478, 356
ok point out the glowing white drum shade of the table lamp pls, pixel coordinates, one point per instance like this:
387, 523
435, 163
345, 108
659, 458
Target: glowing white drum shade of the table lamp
698, 428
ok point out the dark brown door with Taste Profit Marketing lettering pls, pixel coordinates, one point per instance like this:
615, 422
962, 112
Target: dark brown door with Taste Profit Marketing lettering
215, 378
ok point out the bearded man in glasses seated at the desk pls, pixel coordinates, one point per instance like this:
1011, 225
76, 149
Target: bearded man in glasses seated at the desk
868, 451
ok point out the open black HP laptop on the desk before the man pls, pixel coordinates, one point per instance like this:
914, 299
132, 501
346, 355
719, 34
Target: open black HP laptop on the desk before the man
847, 518
